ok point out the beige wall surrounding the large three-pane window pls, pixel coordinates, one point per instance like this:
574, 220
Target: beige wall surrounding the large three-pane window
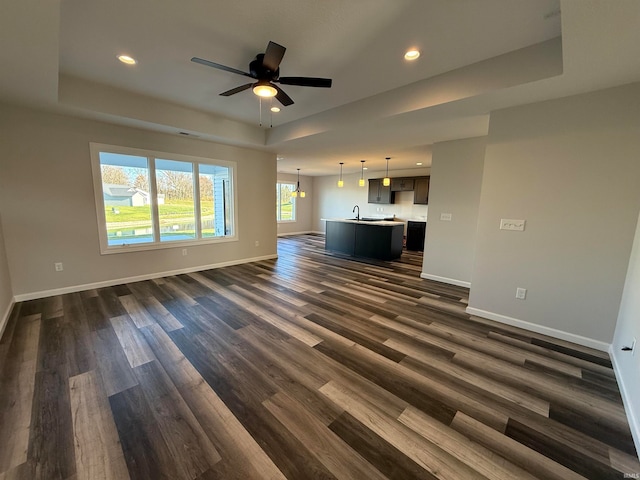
48, 208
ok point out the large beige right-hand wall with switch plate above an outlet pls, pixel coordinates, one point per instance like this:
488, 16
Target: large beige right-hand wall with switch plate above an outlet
570, 168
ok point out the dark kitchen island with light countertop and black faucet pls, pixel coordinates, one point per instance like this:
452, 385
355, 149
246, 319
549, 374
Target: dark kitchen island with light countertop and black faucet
373, 238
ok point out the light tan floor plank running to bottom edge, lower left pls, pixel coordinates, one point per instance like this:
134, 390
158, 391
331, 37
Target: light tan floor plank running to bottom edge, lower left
97, 448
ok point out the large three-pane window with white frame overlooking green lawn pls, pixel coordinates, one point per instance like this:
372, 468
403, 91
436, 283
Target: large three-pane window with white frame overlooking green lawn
148, 200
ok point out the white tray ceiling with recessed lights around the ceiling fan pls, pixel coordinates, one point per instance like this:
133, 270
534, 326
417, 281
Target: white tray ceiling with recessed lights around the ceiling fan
477, 55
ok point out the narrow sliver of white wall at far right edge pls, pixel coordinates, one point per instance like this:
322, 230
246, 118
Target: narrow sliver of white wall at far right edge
627, 364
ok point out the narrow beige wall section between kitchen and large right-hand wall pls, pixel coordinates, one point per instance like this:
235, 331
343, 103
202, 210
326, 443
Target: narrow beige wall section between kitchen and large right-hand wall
456, 178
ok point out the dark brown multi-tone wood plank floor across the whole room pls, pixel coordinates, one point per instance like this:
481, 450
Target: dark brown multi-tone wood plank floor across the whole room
308, 366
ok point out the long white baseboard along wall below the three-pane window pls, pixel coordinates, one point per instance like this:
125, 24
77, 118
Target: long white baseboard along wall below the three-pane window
118, 281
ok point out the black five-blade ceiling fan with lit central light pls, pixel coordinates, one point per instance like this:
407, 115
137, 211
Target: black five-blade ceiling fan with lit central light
266, 70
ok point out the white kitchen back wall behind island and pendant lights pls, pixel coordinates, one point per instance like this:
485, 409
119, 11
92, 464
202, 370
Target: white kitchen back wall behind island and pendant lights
333, 202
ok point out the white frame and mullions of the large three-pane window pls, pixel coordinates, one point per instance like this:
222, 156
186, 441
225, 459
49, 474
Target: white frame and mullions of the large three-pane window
152, 155
